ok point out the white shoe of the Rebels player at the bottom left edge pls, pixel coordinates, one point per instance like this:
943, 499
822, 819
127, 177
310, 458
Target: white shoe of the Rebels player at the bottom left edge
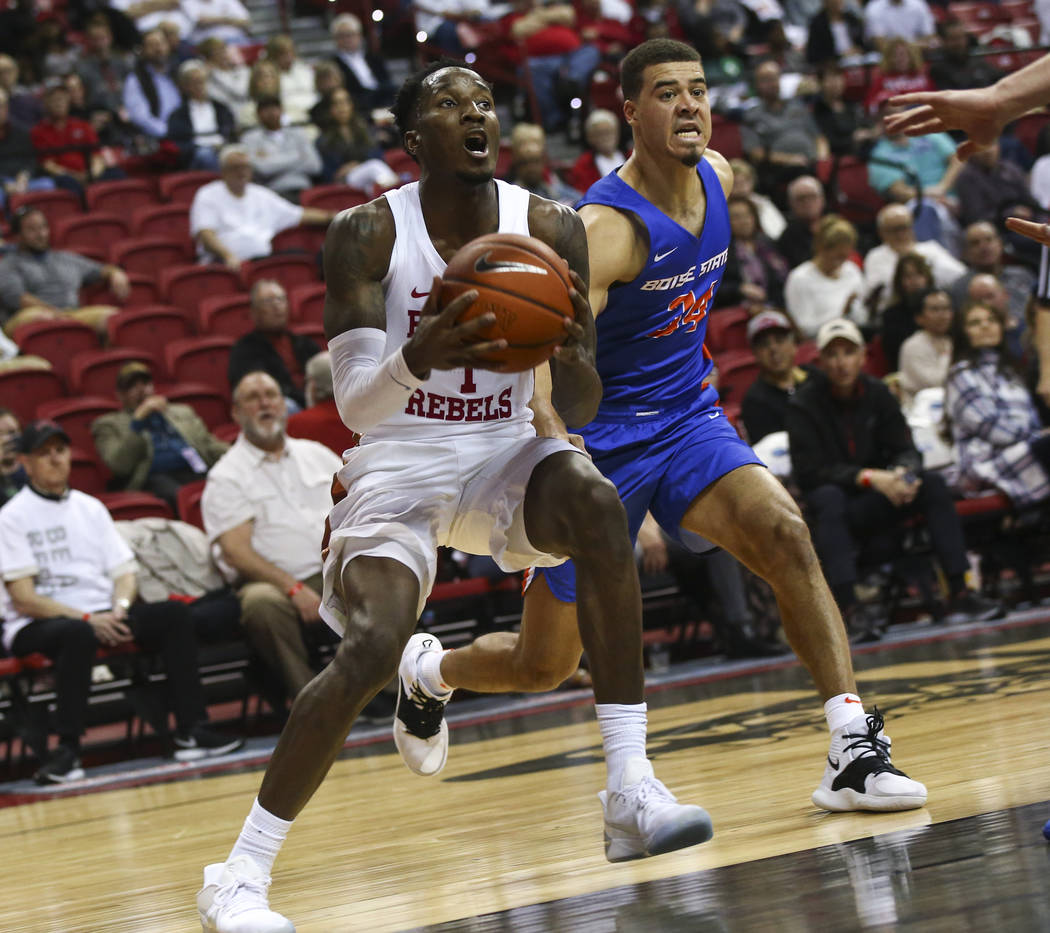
234, 900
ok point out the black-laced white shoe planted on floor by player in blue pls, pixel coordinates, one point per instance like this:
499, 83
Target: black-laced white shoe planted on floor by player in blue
859, 775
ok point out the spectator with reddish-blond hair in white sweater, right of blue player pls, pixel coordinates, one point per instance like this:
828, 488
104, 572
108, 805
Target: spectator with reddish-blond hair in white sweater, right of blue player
829, 286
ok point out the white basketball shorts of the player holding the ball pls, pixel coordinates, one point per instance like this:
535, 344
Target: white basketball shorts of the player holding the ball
407, 498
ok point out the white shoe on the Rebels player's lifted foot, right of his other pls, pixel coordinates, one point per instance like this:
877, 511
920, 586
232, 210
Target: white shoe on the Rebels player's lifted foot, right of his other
645, 819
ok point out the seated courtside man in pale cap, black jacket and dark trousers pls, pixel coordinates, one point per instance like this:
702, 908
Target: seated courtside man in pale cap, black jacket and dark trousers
854, 459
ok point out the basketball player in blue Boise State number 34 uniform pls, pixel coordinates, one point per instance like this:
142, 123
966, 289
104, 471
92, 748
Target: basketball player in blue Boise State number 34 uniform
658, 232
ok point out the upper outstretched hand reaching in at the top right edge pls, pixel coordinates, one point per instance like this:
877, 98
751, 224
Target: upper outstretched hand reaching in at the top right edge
976, 113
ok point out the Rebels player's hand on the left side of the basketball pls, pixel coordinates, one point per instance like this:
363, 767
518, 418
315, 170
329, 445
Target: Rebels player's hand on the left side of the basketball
442, 344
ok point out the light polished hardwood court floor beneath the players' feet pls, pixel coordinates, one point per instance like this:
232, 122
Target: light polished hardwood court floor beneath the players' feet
514, 822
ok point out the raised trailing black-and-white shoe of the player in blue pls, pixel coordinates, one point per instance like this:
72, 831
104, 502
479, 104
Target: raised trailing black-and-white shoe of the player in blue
421, 731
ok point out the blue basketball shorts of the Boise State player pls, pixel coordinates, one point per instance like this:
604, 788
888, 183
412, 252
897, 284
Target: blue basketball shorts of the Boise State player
660, 462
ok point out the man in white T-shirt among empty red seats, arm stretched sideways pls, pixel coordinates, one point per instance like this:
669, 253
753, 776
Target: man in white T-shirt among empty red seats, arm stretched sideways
234, 220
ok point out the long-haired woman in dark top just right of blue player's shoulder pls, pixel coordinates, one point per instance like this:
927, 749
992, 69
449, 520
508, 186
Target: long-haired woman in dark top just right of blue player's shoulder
755, 272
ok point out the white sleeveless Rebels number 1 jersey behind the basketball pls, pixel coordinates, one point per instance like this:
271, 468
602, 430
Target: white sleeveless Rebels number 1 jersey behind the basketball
453, 402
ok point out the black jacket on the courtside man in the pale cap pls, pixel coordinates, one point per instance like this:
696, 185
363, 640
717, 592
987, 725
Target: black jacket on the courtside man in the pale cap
832, 441
